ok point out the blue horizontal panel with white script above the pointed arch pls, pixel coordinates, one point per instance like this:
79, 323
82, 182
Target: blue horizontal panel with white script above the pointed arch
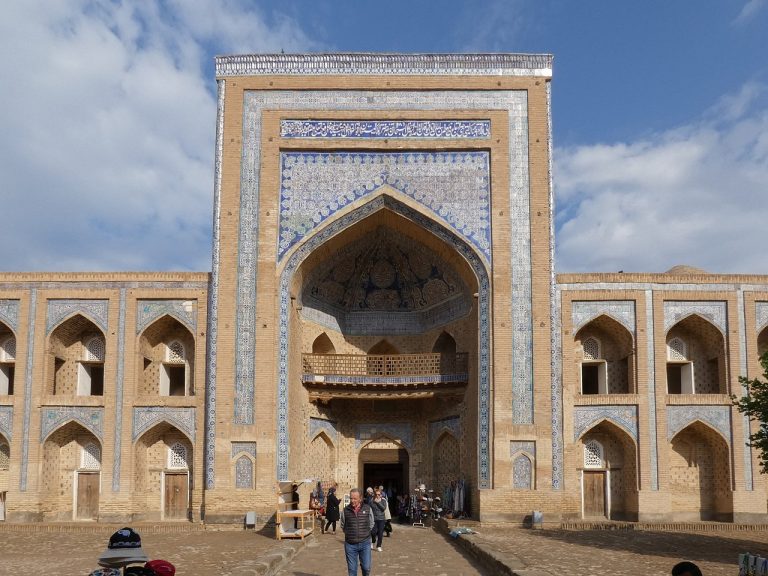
420, 129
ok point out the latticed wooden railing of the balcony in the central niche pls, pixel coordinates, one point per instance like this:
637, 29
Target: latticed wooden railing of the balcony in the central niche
385, 364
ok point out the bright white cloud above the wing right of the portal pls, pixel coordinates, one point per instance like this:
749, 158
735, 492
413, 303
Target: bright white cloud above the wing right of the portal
693, 195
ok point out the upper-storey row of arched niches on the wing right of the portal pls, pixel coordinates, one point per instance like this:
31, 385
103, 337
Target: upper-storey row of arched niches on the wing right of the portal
685, 338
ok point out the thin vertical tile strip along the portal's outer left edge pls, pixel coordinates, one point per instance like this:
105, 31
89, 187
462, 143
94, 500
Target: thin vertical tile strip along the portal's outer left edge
213, 303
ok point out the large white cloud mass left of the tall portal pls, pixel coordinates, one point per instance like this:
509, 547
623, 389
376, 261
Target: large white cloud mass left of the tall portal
108, 113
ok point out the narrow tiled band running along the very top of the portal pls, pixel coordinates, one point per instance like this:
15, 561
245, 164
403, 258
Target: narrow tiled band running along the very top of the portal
386, 64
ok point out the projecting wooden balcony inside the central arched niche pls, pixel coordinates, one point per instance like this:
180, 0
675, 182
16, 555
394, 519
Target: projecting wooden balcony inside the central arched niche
384, 376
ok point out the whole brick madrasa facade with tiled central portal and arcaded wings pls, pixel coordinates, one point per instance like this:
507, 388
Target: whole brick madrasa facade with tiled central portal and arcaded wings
382, 308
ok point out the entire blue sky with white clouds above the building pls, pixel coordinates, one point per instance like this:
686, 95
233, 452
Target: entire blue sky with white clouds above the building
659, 111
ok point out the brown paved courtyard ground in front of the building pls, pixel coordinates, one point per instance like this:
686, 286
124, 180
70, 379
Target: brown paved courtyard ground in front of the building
60, 551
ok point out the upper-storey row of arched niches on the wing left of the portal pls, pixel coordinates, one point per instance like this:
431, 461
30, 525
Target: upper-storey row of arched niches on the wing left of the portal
71, 339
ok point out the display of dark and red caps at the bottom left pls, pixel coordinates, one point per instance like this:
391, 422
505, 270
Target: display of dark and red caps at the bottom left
125, 556
